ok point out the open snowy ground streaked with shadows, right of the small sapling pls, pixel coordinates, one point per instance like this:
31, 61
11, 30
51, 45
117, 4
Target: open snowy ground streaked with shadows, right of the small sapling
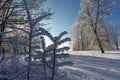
96, 66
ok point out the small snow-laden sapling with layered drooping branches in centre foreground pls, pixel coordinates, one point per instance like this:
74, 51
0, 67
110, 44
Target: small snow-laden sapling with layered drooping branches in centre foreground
53, 55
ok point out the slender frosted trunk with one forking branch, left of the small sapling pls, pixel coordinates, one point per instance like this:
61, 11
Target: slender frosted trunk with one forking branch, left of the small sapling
32, 23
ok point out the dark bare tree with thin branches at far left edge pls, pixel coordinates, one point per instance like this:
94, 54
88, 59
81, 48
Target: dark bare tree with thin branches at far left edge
6, 10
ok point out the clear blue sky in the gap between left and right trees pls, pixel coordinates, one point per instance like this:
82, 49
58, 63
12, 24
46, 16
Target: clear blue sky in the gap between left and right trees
65, 15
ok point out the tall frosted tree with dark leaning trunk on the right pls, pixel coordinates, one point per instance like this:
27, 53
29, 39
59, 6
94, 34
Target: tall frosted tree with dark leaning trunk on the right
94, 12
